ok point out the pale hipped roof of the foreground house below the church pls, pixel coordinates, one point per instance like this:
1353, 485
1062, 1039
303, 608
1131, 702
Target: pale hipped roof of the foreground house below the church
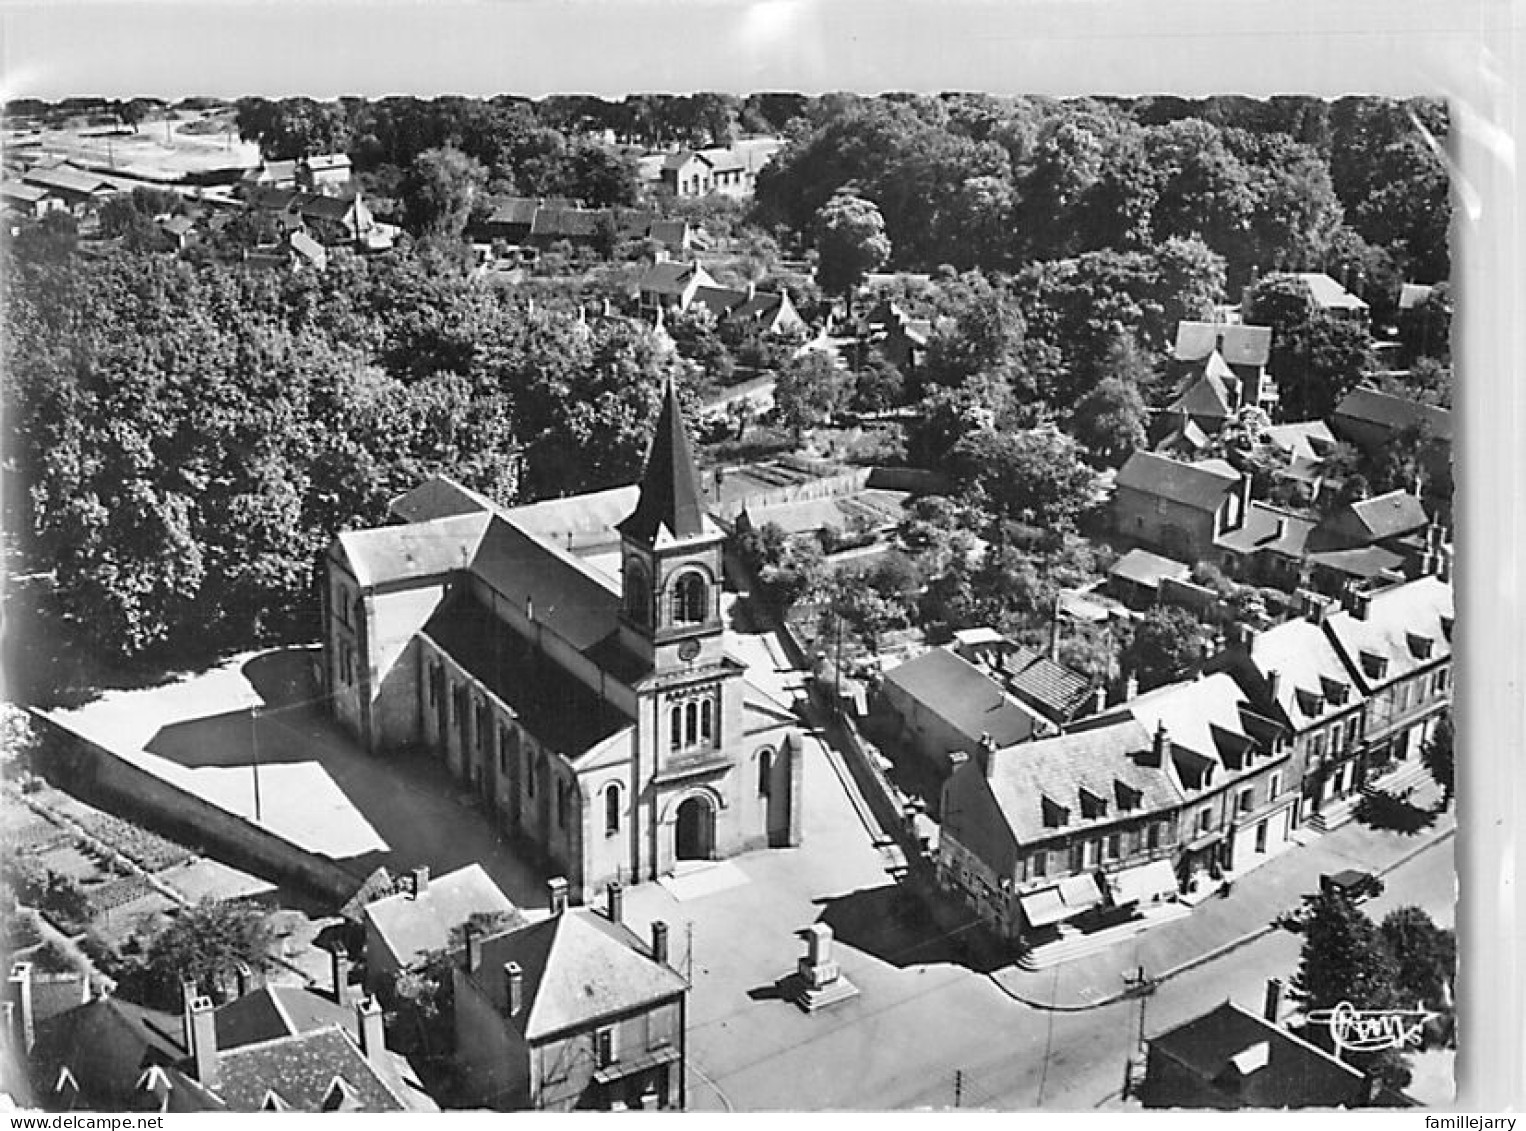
579, 968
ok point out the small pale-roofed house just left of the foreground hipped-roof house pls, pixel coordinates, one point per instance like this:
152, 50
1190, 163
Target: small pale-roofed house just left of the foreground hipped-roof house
417, 923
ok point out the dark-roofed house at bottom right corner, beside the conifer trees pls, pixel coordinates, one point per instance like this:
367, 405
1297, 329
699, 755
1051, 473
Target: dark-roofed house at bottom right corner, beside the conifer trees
1232, 1058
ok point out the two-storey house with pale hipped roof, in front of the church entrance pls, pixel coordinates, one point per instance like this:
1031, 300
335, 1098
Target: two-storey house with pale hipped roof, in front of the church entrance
571, 1013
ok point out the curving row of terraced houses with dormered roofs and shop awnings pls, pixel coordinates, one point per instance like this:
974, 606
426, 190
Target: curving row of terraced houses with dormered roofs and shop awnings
1176, 790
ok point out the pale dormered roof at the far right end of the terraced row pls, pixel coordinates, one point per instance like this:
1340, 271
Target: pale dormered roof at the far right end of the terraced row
1406, 628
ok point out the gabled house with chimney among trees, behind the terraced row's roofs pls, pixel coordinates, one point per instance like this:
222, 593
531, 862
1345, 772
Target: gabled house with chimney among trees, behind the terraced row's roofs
1177, 509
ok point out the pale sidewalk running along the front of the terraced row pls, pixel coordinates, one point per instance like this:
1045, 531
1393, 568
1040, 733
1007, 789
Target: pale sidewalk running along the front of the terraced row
1223, 924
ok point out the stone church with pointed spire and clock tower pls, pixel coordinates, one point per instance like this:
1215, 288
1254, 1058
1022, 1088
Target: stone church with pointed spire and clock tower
568, 662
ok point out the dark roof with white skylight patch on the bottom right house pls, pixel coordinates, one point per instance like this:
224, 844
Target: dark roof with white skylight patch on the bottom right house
1290, 1074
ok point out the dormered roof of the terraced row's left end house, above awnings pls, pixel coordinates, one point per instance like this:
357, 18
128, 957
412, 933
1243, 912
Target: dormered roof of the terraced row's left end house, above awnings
1035, 778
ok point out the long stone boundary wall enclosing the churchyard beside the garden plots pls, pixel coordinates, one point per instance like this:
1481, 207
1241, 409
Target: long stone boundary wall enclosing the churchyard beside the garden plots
76, 764
